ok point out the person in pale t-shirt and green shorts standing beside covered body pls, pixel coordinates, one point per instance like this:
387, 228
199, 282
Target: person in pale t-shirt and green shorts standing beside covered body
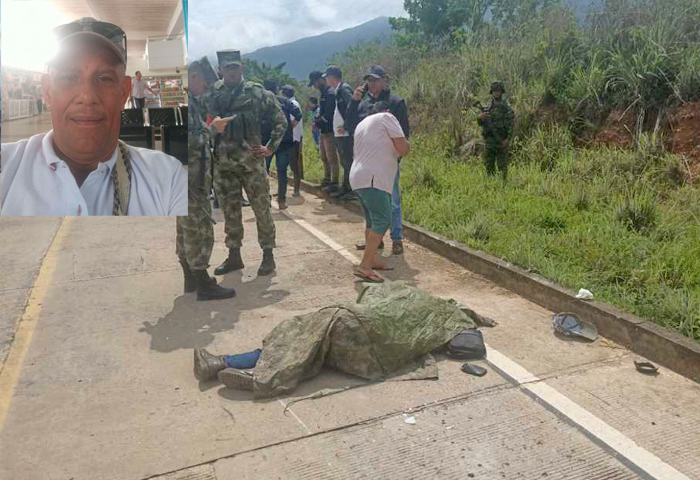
379, 142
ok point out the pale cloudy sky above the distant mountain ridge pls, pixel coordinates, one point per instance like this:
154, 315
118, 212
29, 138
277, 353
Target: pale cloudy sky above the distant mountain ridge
247, 25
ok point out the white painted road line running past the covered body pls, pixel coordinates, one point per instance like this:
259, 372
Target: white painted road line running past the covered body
615, 440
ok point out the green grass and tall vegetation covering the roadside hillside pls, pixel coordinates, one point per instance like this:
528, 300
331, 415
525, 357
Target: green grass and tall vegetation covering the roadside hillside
624, 223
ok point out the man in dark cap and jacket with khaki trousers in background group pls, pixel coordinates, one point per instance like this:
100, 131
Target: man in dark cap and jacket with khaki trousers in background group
325, 125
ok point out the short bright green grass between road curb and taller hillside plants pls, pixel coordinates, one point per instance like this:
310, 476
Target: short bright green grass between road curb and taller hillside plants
604, 220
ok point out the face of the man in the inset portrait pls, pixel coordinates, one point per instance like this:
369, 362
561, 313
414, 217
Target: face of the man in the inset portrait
86, 93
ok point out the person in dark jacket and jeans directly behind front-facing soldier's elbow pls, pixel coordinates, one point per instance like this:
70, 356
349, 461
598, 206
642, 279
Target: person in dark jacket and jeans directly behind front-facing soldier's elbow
283, 154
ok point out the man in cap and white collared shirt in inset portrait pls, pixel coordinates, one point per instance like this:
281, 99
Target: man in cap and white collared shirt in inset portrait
80, 167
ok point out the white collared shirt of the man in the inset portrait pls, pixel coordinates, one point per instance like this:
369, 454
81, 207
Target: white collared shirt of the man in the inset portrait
35, 181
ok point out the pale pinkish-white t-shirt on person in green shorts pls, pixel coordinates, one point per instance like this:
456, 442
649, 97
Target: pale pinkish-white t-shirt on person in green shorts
375, 162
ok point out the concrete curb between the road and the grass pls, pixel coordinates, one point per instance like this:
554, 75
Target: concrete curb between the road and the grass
659, 344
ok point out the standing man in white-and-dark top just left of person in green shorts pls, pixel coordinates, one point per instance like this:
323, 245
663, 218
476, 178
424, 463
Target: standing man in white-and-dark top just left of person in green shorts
343, 139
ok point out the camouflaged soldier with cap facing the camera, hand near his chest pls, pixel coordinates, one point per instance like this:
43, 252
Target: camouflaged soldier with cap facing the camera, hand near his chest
240, 159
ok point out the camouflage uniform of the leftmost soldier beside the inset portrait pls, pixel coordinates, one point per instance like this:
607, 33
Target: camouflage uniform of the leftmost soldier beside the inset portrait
195, 233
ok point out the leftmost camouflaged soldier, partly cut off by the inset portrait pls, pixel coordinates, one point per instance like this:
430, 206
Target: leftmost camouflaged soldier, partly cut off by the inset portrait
195, 233
